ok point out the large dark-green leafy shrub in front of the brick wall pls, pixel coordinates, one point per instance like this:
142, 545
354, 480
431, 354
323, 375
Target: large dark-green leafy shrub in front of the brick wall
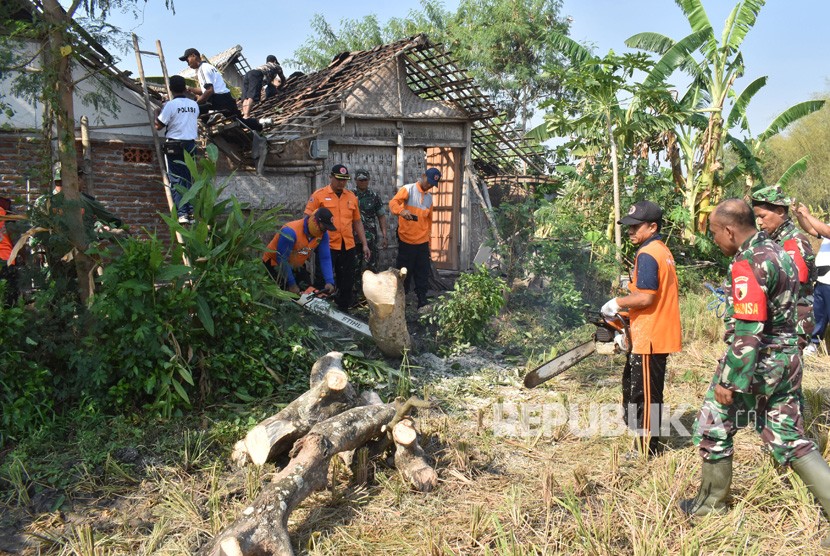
165, 334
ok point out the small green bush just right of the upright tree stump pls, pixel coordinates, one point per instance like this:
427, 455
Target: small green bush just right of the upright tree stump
462, 315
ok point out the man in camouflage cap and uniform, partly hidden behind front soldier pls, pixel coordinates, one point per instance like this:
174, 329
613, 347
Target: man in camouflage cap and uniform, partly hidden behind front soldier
771, 208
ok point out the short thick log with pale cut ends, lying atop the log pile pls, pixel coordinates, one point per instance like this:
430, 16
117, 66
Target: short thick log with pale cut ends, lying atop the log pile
275, 436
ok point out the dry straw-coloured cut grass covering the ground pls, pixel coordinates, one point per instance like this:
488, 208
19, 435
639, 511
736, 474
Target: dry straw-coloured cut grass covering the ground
540, 494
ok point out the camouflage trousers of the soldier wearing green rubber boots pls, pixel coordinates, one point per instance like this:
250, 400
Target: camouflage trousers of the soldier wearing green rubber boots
772, 408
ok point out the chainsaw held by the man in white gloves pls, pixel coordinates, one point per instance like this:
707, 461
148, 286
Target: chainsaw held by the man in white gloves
611, 336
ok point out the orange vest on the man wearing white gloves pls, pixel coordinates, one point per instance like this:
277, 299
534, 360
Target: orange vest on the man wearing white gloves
656, 328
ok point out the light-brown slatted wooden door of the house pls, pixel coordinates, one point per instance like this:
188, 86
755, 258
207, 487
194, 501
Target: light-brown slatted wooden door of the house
446, 203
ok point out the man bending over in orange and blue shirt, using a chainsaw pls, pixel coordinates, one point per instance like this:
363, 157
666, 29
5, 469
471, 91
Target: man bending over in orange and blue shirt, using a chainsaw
293, 244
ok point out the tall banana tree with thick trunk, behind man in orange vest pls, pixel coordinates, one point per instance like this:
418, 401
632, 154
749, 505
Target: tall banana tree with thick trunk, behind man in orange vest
715, 73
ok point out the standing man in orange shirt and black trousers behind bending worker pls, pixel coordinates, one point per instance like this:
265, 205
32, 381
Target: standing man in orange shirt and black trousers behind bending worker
343, 205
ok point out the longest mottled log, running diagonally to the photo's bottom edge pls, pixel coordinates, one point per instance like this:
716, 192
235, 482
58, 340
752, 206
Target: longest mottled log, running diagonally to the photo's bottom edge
262, 529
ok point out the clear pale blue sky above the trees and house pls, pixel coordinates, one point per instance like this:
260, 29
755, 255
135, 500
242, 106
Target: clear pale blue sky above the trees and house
787, 43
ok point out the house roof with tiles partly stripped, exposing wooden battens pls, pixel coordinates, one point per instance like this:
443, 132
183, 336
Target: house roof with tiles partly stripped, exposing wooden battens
308, 102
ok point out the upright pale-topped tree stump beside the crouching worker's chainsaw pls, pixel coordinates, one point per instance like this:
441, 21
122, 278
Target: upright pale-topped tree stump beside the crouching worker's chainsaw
385, 296
